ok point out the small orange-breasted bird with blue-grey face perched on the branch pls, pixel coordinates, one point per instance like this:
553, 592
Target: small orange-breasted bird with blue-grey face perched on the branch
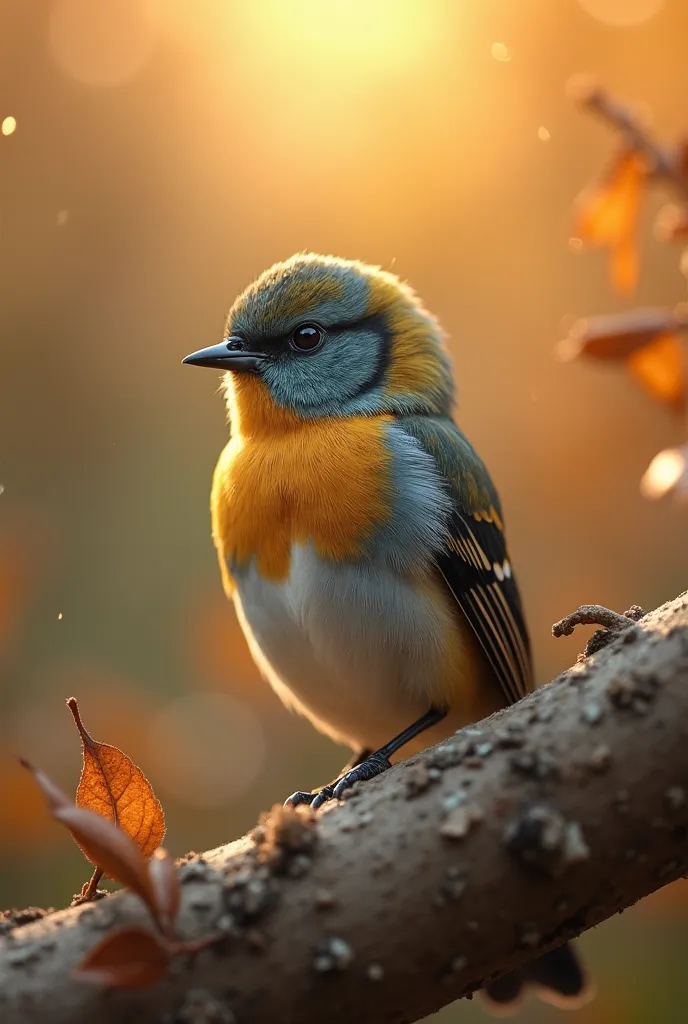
360, 535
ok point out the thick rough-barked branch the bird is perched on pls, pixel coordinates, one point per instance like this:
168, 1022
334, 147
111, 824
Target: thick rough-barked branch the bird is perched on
456, 866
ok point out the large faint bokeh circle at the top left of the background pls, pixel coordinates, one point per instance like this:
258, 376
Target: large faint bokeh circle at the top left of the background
102, 42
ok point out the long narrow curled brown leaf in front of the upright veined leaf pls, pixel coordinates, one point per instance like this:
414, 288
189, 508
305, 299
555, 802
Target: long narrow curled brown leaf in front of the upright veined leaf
103, 843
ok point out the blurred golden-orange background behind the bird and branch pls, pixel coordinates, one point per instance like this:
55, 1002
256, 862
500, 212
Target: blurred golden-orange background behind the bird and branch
155, 156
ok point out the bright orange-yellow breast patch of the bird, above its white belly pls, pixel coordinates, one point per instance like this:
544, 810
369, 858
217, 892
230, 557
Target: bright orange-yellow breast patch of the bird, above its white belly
323, 481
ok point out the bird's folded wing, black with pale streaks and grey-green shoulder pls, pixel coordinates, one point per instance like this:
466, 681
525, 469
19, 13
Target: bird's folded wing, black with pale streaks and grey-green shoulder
475, 564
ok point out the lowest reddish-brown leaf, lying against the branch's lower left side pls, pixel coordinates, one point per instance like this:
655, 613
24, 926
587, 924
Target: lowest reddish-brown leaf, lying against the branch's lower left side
128, 958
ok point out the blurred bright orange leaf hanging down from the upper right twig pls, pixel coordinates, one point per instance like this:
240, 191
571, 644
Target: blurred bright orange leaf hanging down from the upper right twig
608, 215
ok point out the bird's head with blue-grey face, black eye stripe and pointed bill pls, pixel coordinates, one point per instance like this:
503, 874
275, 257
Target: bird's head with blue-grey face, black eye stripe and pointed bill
318, 336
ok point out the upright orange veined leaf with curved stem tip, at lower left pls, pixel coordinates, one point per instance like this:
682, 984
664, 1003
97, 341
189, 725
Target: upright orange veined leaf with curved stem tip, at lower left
113, 787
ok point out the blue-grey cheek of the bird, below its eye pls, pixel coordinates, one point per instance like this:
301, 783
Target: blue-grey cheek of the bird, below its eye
323, 382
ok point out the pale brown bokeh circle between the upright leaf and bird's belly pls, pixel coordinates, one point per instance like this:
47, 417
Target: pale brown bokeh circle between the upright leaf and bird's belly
205, 750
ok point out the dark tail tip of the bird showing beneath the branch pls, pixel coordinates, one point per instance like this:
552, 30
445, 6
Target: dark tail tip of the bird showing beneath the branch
558, 978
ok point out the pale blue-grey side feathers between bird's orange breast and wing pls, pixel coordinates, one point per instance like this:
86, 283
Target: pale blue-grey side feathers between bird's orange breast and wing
420, 507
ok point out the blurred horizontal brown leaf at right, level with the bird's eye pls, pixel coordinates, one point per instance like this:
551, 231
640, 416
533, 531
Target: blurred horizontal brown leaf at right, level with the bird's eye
617, 336
